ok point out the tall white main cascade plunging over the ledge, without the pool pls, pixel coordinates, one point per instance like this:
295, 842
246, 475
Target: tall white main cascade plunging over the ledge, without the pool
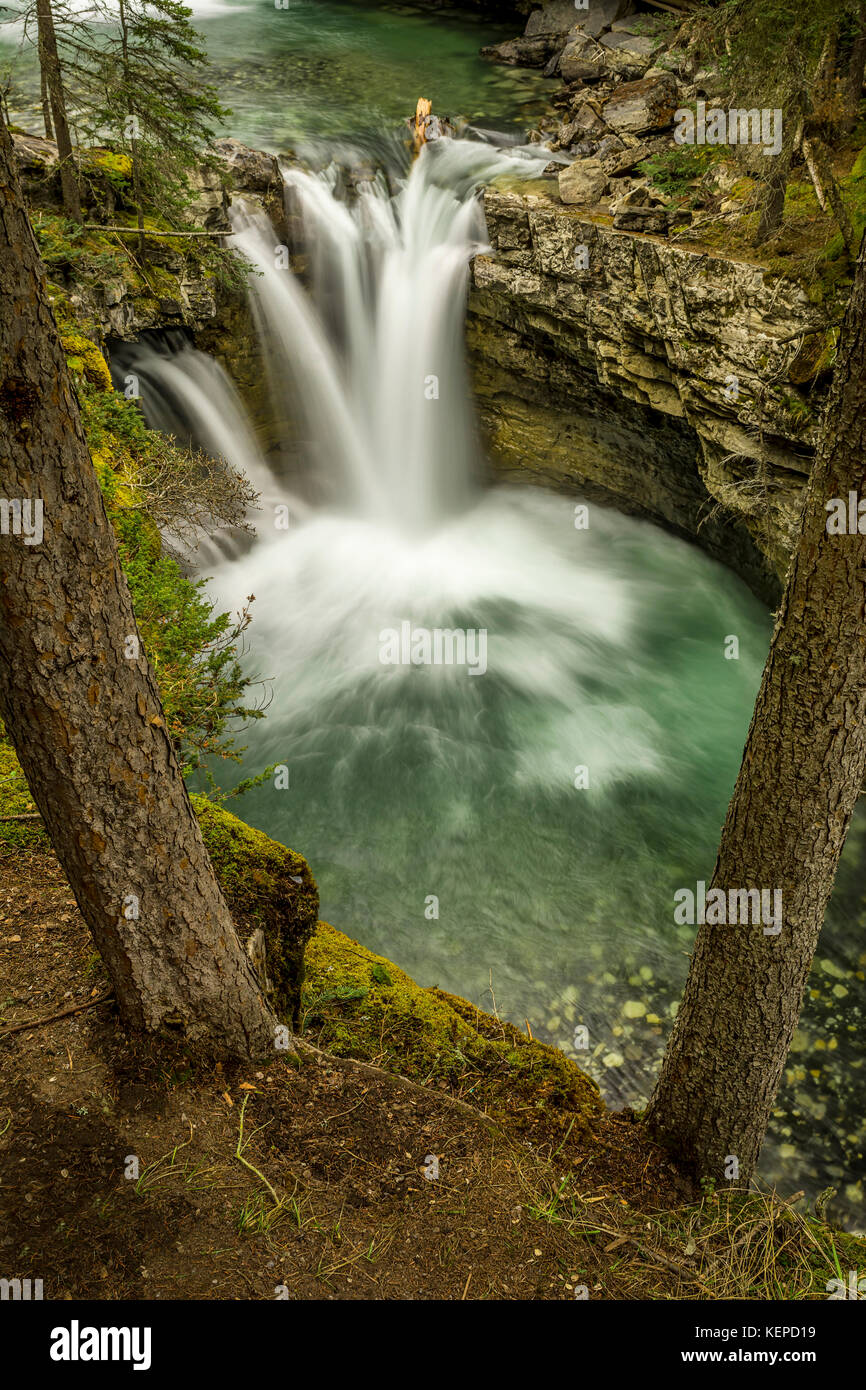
372, 358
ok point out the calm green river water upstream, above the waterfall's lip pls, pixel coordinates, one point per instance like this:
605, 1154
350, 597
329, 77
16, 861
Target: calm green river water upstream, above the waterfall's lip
322, 69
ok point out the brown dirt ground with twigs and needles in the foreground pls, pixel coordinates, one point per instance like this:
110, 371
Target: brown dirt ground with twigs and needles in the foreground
130, 1172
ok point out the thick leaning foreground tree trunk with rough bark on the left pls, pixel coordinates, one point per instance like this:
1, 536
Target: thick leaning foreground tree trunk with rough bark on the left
83, 708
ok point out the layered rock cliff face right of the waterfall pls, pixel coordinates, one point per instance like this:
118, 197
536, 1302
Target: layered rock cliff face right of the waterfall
644, 375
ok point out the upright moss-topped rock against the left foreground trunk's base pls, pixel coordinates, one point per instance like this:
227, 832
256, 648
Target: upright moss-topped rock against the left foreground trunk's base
268, 888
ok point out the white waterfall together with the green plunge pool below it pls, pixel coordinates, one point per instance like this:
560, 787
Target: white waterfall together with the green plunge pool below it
529, 826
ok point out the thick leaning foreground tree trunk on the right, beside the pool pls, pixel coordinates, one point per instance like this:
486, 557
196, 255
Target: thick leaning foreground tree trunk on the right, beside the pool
801, 775
